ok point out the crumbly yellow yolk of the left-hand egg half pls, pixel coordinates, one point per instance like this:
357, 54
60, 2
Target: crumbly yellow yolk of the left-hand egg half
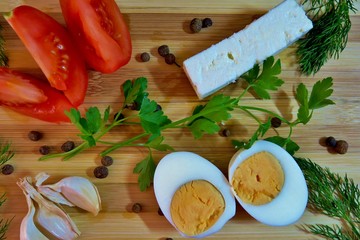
196, 206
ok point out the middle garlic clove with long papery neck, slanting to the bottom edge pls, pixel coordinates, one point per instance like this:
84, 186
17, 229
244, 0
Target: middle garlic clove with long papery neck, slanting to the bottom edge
49, 216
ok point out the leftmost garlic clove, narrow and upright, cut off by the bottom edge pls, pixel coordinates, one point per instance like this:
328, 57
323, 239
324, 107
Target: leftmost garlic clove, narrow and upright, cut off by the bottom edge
28, 230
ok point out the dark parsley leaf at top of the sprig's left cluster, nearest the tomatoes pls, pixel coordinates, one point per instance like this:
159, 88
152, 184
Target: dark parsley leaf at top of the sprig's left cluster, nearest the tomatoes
134, 91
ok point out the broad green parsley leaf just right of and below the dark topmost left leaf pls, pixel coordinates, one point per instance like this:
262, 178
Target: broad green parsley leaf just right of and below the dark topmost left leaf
152, 119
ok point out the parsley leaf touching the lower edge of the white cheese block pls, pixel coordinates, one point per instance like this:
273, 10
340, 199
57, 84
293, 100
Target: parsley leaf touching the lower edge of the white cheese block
267, 80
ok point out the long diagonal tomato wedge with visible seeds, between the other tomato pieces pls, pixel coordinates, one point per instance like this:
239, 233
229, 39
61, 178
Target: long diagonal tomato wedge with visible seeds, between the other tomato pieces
53, 50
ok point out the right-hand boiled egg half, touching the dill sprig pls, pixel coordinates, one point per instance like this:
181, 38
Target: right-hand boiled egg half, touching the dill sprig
268, 184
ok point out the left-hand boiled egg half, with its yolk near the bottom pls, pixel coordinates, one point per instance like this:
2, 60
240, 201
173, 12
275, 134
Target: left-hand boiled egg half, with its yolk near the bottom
193, 194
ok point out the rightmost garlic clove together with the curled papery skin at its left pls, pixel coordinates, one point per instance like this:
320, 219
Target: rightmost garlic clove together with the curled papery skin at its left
78, 191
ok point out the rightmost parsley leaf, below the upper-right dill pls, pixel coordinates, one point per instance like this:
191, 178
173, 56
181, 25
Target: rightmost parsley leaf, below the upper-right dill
318, 98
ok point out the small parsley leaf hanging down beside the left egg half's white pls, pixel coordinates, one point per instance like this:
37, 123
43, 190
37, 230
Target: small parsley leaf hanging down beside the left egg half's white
146, 171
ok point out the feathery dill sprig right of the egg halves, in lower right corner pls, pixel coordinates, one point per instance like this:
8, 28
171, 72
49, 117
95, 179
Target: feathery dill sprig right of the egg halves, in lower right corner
334, 196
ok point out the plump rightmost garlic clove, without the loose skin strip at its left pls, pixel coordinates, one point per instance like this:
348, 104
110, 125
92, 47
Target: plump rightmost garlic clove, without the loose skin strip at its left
80, 192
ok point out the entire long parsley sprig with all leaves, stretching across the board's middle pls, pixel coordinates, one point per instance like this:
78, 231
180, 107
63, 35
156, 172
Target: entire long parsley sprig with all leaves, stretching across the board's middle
204, 119
